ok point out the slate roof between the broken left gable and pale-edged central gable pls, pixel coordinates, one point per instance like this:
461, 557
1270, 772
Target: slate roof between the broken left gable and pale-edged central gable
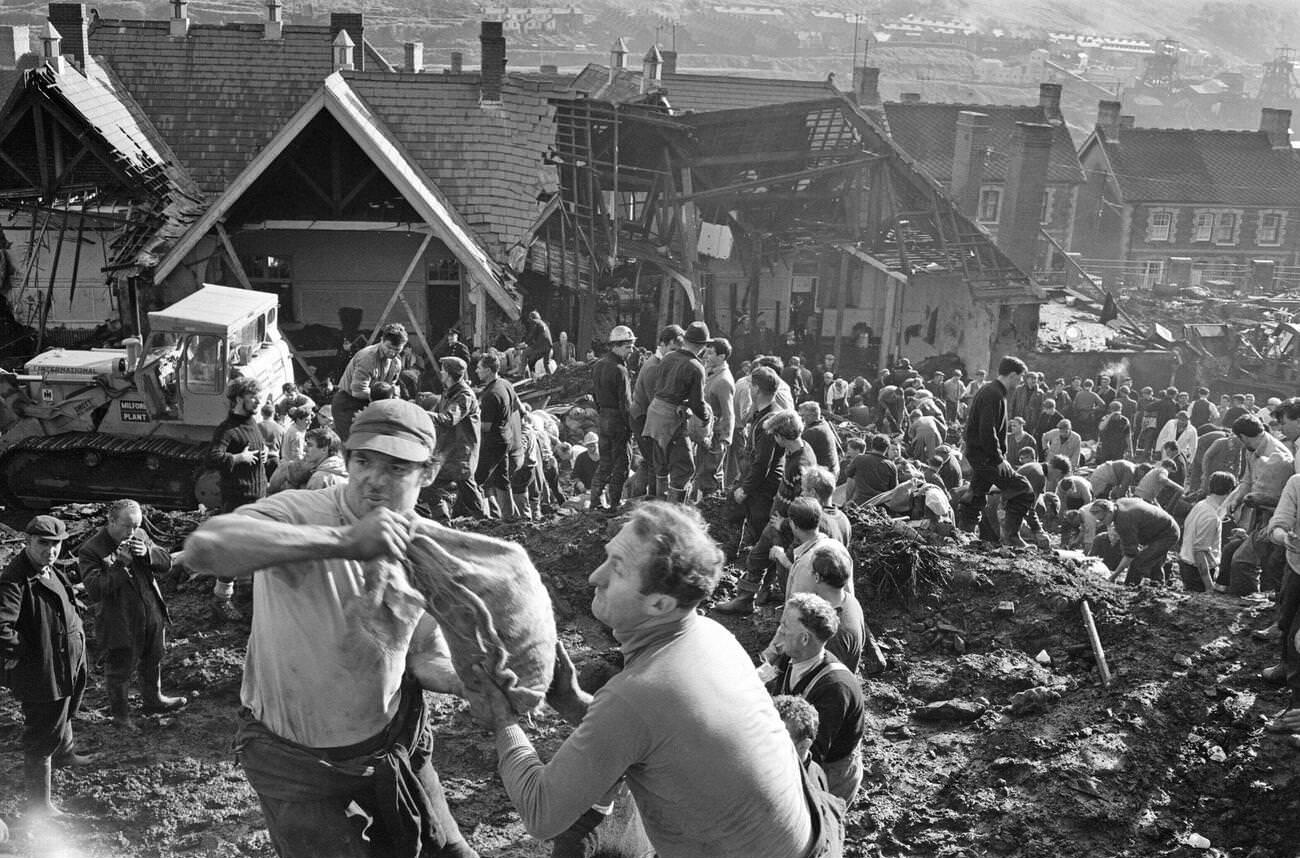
220, 94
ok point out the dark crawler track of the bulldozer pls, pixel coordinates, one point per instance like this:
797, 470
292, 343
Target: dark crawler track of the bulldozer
85, 467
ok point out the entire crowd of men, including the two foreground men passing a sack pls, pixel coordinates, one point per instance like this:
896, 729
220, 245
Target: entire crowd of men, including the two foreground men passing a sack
720, 757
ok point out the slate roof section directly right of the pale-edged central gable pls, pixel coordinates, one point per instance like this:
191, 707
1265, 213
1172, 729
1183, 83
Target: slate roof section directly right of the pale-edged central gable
487, 161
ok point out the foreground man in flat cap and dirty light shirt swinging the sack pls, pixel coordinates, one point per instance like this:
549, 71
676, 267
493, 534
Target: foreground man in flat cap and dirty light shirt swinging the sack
333, 718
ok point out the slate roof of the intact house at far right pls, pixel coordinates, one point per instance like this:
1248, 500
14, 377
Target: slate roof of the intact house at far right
1186, 166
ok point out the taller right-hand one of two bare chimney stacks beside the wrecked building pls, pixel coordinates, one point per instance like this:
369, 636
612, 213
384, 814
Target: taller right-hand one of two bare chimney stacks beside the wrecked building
1022, 196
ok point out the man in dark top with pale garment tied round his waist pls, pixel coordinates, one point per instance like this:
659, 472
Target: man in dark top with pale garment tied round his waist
679, 391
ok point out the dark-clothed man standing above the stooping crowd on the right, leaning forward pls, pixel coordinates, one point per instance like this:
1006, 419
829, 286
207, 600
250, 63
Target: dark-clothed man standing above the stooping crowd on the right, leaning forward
986, 450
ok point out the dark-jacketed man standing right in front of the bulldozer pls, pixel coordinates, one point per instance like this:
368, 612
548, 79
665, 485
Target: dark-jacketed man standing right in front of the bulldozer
239, 456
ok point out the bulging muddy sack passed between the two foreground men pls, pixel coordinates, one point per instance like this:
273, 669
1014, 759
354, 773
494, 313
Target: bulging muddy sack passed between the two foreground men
492, 606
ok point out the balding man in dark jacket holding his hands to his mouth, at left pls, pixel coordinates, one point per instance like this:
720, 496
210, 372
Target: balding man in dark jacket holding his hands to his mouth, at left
122, 569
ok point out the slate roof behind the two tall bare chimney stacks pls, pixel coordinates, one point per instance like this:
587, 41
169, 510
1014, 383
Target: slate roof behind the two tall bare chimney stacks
929, 135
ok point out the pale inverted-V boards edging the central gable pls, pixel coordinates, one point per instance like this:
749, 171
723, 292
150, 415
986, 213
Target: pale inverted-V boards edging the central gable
383, 149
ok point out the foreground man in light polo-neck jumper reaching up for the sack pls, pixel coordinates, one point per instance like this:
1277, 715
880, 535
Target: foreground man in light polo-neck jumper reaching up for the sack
687, 722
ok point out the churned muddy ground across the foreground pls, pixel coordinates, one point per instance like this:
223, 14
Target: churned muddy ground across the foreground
1171, 759
